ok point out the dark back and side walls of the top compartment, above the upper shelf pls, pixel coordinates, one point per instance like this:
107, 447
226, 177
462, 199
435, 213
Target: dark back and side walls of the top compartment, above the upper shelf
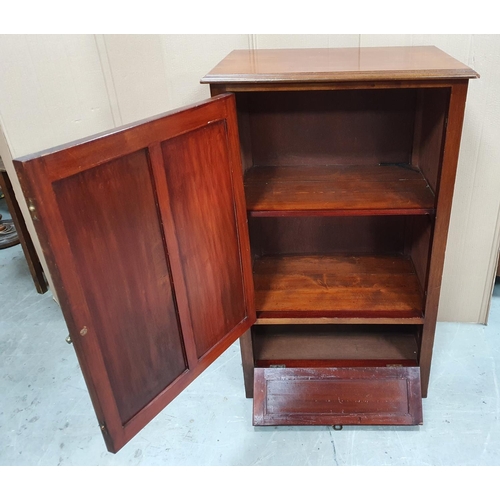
399, 127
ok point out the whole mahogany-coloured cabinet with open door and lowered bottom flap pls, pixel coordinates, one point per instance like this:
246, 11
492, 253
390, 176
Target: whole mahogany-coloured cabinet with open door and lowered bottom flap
304, 208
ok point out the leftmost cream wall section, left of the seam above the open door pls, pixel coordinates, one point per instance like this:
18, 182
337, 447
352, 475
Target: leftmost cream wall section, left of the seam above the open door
52, 90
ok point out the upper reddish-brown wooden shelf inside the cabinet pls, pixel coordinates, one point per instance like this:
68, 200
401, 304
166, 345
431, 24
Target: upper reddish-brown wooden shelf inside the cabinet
337, 190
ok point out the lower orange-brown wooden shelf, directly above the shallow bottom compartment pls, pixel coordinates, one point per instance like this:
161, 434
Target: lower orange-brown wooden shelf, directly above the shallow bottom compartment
337, 289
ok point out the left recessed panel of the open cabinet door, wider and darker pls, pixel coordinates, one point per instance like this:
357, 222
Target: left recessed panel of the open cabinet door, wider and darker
109, 214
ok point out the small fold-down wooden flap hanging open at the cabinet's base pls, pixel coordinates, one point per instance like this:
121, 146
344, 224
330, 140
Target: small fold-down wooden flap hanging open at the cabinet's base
337, 396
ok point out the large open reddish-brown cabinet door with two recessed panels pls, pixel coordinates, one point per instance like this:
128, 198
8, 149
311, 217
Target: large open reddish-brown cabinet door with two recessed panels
144, 230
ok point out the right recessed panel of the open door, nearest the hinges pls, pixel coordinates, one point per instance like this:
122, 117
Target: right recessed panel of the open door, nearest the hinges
198, 175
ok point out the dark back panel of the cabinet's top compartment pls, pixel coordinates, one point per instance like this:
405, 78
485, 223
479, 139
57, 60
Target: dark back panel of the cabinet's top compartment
331, 127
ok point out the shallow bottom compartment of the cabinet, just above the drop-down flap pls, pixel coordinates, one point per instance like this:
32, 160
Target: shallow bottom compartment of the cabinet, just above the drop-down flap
335, 345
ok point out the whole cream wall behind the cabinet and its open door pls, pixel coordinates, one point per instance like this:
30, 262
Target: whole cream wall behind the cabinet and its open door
56, 88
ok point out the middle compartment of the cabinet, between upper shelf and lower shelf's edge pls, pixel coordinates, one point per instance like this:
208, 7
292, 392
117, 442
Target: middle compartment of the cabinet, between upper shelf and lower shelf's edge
340, 267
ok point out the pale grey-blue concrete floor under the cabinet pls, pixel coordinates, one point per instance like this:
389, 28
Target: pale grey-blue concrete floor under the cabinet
46, 417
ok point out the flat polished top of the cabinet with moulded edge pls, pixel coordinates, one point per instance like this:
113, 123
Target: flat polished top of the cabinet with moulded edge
340, 64
